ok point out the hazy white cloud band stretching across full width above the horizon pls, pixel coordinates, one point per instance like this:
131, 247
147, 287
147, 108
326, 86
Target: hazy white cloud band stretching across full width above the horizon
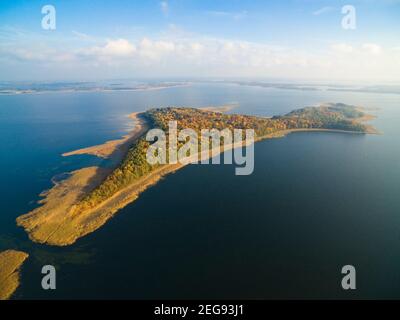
183, 54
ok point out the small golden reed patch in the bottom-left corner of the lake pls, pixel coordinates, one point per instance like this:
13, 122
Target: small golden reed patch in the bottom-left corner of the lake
10, 263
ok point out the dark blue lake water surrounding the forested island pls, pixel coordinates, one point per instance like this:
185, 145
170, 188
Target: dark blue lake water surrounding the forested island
315, 202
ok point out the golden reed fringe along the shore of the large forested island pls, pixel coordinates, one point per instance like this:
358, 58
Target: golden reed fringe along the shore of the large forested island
57, 223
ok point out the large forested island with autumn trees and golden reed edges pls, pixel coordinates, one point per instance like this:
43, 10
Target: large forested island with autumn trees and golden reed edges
89, 197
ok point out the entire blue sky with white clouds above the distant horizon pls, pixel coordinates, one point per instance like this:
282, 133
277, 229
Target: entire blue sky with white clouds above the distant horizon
287, 39
